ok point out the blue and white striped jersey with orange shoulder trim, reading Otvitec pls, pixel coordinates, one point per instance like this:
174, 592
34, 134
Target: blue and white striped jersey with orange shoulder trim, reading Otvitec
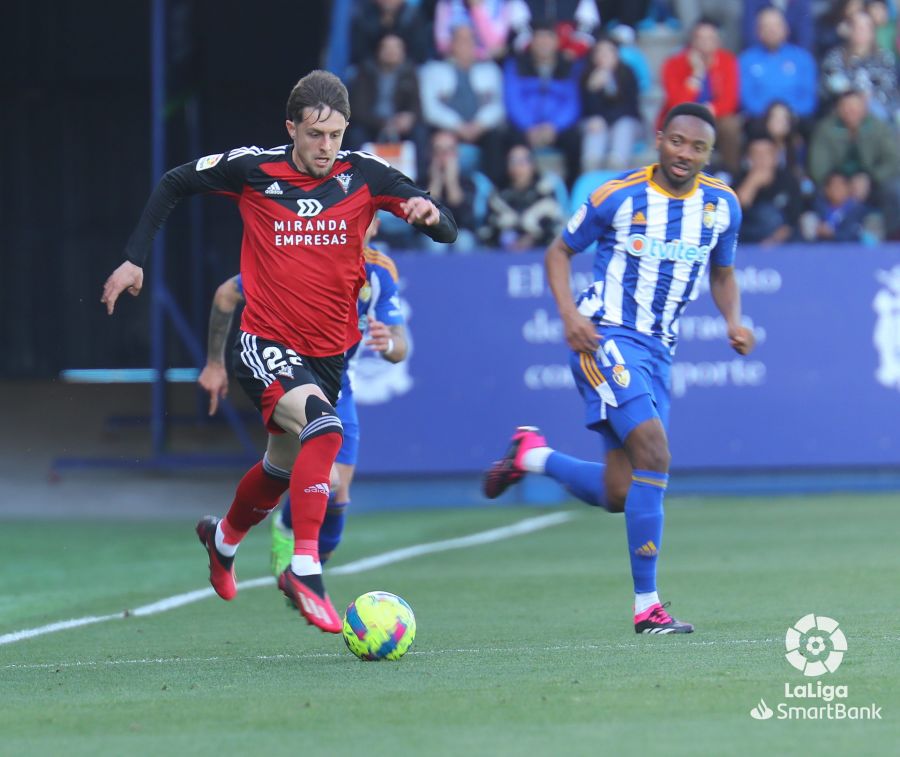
652, 248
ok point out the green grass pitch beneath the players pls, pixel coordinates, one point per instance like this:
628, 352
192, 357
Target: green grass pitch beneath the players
524, 646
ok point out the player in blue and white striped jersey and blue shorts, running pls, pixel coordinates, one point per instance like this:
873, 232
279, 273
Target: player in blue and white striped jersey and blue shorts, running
658, 230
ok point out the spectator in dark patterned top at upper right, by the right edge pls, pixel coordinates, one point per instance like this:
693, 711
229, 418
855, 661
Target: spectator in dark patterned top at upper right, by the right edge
861, 64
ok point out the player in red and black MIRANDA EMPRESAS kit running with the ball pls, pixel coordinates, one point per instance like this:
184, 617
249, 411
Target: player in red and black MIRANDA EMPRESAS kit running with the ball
306, 207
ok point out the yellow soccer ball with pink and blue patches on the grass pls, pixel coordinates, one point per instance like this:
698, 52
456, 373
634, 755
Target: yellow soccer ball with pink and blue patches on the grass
379, 626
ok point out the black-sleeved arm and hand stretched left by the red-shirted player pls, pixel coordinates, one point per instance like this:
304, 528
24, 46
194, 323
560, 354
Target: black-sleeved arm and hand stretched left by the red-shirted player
213, 173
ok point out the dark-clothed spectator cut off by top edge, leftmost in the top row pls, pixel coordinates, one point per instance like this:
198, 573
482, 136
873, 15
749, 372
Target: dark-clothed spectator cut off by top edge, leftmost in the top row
376, 18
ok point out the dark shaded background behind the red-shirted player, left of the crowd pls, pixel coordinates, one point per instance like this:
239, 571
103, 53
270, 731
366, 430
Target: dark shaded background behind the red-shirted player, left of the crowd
75, 159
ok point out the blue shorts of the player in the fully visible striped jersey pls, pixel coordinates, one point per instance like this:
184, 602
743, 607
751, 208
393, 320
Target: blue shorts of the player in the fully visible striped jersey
625, 383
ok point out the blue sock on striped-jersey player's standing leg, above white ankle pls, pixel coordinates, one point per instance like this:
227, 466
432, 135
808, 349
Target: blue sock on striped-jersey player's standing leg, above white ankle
644, 523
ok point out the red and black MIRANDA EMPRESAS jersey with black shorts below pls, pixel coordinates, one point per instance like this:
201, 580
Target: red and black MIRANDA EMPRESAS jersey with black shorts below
302, 259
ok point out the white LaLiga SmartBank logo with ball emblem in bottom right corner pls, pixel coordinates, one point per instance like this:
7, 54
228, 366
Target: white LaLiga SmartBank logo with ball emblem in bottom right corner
815, 645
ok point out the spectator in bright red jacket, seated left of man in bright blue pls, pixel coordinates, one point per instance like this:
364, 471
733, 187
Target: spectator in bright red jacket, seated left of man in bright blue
705, 73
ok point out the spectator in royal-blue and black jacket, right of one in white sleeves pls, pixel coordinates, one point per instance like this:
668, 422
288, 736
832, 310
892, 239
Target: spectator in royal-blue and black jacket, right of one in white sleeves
541, 90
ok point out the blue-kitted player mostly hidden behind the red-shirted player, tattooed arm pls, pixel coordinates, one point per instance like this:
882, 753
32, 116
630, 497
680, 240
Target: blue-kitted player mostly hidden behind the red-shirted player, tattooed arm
383, 324
